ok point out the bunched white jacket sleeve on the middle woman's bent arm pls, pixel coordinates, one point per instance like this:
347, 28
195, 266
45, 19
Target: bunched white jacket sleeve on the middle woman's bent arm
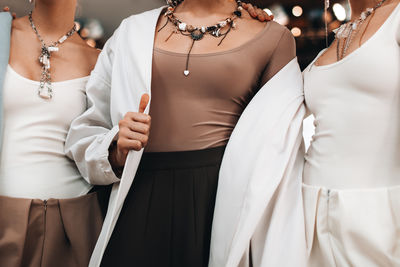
92, 133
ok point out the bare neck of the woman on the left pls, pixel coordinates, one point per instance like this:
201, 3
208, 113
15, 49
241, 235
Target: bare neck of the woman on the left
54, 18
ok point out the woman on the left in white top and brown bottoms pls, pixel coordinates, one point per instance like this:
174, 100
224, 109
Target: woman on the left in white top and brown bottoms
49, 214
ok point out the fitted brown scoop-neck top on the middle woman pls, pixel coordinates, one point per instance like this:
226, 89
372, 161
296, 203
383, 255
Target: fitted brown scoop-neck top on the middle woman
201, 110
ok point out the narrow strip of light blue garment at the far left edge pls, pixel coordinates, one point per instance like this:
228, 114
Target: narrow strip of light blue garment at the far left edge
5, 31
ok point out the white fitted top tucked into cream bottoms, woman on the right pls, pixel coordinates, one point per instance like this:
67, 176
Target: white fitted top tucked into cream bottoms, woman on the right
356, 105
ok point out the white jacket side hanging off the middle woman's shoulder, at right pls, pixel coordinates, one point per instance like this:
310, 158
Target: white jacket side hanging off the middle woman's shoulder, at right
260, 194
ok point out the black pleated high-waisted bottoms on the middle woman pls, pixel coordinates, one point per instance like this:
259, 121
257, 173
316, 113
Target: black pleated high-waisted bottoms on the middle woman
167, 216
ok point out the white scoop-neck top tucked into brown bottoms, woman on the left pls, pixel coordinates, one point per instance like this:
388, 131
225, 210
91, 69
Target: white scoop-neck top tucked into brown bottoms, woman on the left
33, 163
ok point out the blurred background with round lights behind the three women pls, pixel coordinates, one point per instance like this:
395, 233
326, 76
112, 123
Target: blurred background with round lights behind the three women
306, 19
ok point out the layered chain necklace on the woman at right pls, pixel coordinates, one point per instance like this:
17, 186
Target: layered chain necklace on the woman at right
345, 33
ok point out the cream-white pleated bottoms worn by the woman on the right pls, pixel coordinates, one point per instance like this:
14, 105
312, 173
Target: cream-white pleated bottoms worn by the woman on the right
352, 227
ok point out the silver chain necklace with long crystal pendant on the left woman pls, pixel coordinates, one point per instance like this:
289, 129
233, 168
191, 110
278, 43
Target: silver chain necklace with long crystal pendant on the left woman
45, 90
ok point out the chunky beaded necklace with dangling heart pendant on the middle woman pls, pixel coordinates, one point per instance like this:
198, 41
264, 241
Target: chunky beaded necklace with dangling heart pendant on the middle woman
218, 30
